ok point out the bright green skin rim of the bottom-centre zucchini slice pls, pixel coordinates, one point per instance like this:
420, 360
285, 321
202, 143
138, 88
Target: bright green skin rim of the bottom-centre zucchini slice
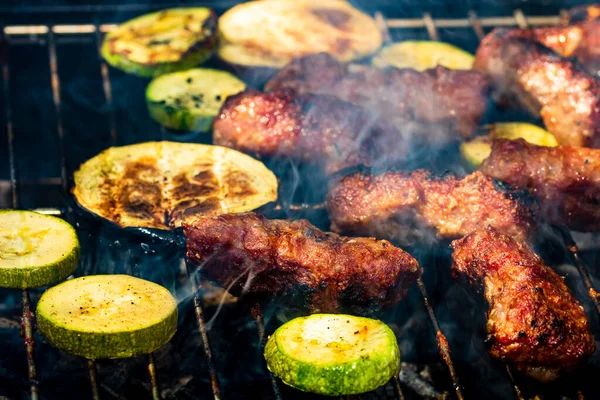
355, 377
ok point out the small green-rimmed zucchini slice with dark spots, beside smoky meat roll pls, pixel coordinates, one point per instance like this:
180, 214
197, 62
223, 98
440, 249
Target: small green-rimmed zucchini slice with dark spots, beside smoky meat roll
189, 100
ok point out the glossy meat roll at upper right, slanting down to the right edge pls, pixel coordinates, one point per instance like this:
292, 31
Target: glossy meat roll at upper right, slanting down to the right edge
535, 78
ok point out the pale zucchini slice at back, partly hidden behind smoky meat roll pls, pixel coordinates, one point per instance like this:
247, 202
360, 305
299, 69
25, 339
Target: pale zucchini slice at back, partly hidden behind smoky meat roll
422, 55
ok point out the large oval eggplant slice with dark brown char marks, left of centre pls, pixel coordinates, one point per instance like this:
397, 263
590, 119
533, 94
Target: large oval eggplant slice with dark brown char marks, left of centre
161, 184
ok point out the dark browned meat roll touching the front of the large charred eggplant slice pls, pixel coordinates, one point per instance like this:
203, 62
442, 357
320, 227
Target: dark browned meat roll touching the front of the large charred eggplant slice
249, 254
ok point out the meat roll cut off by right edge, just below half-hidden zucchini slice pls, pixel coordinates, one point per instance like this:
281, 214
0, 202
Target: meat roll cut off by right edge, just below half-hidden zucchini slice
565, 179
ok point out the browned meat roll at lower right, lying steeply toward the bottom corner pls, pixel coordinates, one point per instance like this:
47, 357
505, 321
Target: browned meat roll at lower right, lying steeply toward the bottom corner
534, 321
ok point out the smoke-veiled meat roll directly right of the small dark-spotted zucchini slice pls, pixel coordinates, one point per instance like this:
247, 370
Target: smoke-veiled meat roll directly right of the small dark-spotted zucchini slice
308, 128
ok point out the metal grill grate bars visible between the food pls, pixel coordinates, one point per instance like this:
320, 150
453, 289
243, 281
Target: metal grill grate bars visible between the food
48, 35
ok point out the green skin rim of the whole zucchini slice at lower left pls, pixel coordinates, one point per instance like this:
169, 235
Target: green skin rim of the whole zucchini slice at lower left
94, 345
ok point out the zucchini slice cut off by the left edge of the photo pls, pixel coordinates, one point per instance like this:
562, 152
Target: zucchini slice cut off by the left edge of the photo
35, 249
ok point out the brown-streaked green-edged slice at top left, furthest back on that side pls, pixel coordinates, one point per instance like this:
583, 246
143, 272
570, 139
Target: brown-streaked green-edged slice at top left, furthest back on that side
164, 41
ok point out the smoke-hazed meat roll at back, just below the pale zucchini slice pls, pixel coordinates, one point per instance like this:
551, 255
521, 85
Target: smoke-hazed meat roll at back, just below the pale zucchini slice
434, 106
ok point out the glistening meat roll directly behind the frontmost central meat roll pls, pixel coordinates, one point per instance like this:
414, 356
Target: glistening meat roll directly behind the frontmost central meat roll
417, 207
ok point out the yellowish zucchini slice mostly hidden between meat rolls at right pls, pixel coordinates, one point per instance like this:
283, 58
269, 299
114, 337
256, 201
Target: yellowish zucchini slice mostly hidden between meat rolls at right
478, 149
